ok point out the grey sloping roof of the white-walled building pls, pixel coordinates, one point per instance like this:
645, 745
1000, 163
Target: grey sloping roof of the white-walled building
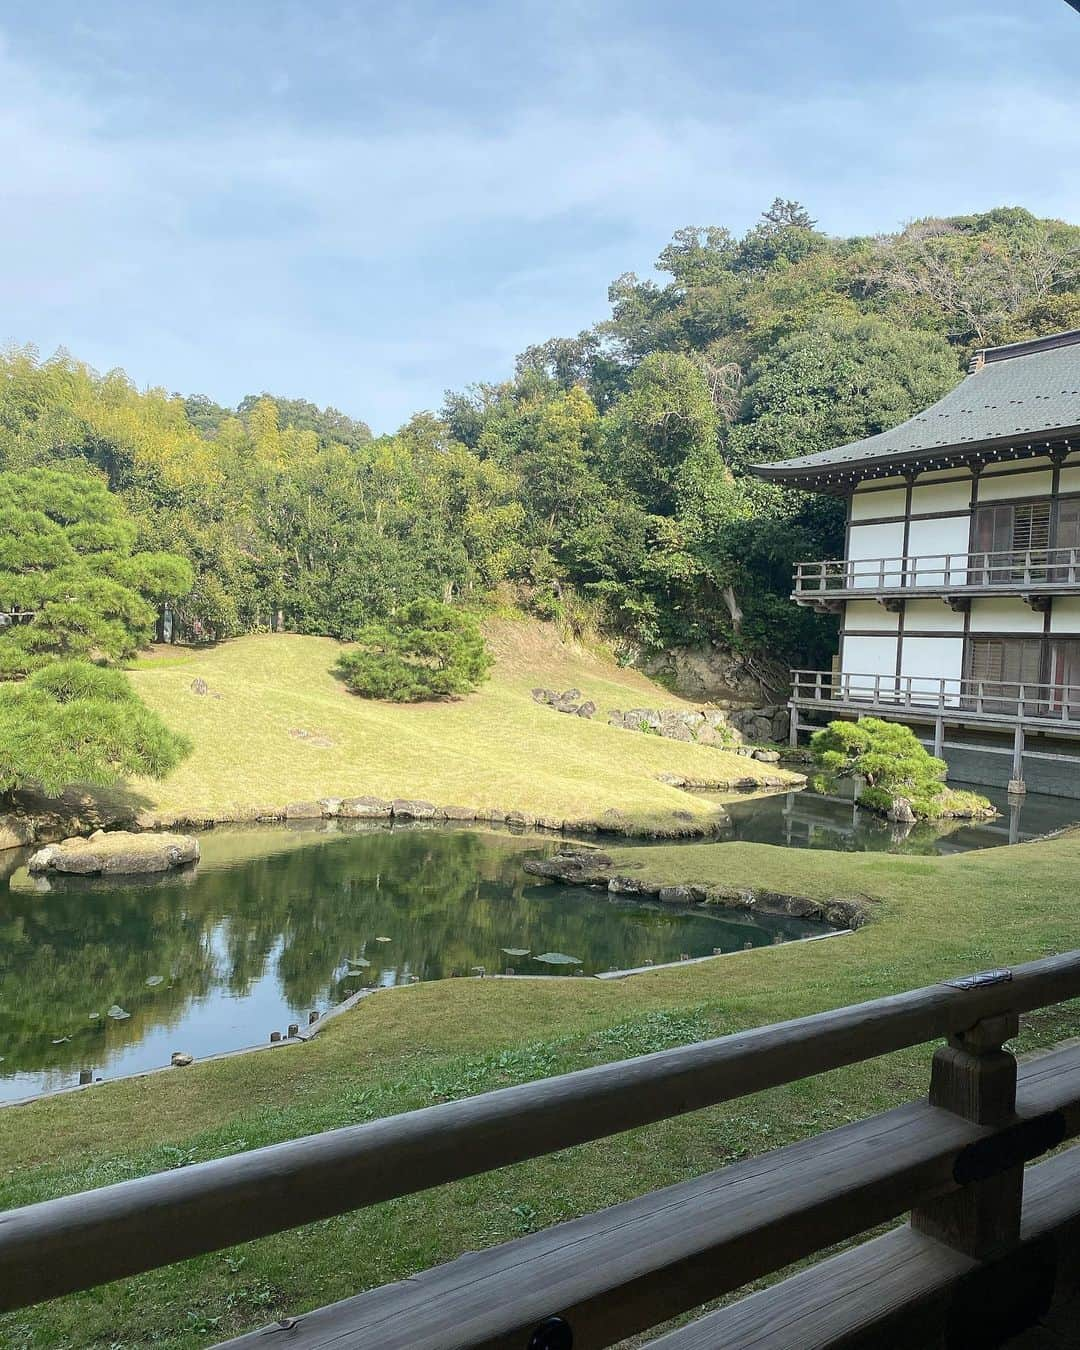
1024, 391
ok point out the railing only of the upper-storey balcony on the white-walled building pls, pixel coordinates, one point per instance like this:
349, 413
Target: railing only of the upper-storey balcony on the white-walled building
1016, 570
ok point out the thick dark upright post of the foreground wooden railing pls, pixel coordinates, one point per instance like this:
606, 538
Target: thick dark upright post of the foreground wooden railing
977, 1079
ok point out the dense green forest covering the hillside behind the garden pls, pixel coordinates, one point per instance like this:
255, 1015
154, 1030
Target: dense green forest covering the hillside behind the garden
605, 481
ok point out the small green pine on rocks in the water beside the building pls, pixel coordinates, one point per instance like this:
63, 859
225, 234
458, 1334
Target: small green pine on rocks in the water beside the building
894, 763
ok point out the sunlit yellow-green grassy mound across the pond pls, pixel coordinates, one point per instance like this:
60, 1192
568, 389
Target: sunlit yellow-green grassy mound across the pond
496, 749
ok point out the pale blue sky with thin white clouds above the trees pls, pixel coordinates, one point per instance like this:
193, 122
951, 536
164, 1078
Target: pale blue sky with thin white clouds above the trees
369, 205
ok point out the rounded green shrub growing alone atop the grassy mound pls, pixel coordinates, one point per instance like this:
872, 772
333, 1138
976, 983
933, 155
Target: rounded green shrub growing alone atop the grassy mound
426, 651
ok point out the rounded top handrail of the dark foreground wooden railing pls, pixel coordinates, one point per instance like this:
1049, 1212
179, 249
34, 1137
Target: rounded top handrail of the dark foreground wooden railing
78, 1243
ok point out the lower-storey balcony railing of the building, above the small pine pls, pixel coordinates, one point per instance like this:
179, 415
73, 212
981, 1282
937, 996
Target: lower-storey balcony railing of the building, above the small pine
992, 700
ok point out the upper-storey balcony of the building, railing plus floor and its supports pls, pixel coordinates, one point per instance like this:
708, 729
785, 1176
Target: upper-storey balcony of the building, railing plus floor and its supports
1035, 574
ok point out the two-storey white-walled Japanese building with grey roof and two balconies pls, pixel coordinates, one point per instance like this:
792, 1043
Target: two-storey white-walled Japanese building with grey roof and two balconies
959, 592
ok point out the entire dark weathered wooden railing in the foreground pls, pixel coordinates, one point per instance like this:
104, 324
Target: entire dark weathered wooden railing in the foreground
956, 1160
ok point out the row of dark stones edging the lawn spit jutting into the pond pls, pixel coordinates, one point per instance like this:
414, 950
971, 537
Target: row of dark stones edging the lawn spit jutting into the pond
595, 869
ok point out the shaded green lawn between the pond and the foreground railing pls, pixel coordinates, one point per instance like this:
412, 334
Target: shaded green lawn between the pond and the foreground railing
935, 917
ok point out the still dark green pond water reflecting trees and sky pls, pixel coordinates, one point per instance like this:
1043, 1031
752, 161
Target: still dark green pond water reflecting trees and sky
279, 923
